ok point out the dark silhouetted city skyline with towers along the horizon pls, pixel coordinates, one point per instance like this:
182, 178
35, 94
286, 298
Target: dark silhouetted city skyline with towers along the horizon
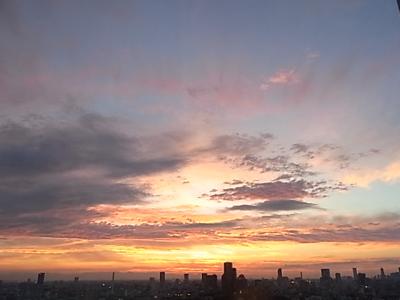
229, 287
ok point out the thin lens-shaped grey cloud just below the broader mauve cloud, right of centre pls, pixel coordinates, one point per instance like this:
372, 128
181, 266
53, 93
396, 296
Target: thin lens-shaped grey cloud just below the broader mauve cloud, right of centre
276, 205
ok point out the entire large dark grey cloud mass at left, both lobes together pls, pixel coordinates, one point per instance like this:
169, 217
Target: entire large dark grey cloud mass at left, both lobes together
83, 164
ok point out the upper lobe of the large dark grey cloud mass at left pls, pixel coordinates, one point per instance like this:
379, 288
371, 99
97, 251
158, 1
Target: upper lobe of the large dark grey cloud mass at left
92, 143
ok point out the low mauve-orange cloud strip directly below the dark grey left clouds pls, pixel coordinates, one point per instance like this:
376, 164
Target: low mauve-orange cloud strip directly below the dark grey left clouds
83, 225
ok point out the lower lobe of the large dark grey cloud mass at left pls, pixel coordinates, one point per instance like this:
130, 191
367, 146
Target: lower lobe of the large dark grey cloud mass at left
61, 192
